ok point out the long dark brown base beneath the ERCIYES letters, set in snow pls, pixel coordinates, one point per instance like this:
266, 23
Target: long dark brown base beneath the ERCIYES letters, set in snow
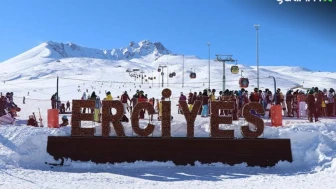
181, 151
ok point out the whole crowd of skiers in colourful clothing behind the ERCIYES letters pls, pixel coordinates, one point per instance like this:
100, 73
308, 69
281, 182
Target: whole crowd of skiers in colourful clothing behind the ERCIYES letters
312, 103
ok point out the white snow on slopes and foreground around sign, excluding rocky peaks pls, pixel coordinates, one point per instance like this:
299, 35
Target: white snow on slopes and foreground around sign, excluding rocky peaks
23, 148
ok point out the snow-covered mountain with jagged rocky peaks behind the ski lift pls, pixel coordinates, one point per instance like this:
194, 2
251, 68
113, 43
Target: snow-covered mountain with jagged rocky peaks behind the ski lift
52, 59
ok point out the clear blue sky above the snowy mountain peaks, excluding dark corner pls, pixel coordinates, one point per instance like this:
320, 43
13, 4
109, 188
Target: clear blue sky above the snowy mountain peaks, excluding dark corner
183, 26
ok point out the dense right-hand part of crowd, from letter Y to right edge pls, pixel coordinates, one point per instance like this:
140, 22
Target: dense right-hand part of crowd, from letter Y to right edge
313, 103
